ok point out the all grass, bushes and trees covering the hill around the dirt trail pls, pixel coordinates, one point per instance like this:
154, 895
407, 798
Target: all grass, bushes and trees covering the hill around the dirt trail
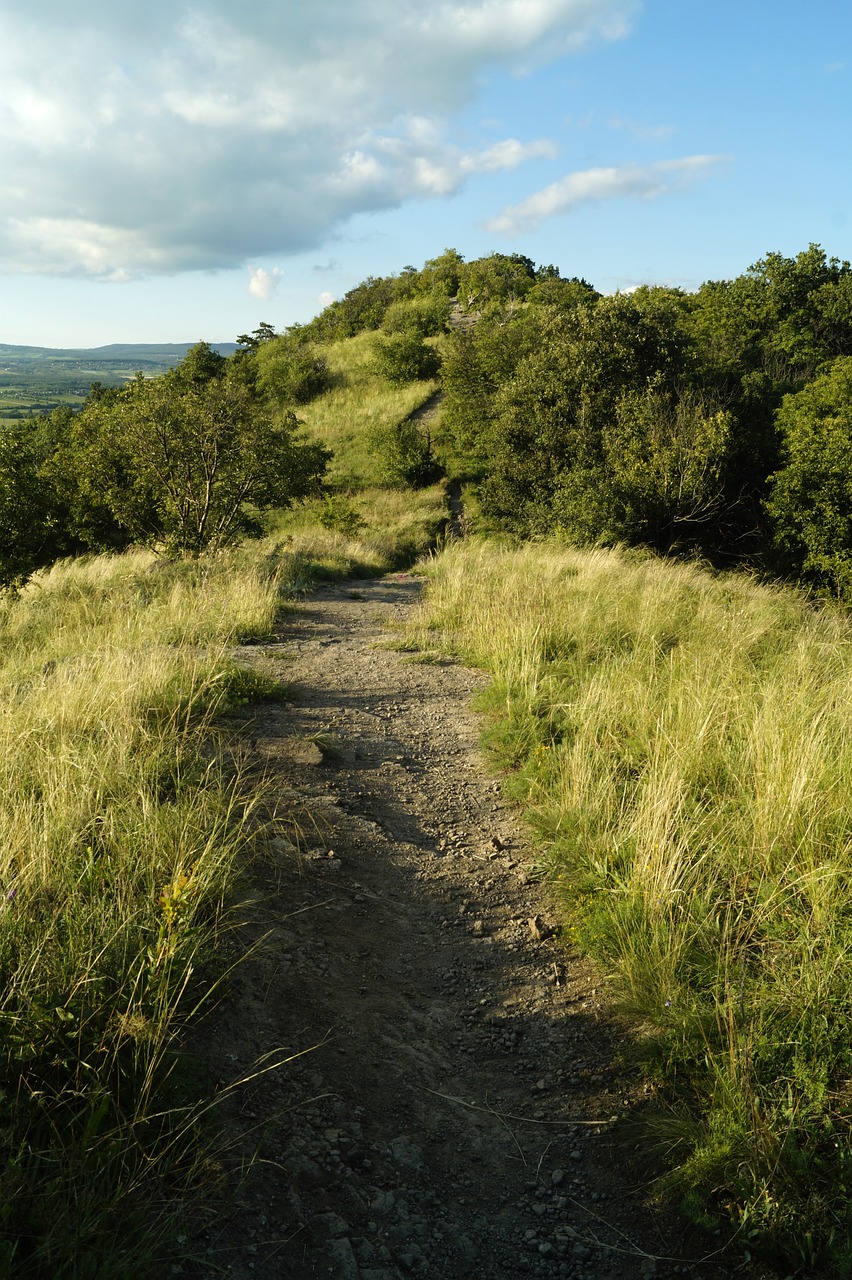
677, 737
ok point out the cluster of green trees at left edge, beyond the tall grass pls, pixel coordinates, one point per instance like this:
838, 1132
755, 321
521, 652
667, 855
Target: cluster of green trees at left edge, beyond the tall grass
185, 463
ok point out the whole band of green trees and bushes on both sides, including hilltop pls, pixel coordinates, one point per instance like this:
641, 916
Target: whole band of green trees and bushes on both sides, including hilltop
714, 423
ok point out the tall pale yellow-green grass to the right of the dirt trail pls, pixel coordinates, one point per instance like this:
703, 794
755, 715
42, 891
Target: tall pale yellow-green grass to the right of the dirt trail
684, 747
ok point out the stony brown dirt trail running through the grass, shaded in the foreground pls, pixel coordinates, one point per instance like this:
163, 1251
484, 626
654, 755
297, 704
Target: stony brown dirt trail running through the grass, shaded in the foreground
457, 1117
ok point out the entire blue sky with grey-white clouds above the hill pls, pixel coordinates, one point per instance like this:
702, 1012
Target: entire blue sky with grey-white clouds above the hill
176, 172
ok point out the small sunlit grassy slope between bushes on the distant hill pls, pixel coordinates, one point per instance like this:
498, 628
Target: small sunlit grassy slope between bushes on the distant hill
352, 417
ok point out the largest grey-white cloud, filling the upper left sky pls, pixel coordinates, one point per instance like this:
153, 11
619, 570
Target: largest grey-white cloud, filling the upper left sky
198, 135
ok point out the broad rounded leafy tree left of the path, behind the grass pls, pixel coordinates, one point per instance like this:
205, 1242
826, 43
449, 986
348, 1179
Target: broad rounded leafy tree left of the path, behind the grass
187, 463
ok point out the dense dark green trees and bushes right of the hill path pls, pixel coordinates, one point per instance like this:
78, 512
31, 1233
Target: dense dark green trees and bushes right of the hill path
656, 418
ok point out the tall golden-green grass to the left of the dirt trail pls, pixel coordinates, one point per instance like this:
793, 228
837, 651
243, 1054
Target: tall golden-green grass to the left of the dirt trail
121, 834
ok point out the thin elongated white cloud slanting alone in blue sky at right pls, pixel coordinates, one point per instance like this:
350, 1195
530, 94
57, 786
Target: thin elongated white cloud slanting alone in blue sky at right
589, 186
